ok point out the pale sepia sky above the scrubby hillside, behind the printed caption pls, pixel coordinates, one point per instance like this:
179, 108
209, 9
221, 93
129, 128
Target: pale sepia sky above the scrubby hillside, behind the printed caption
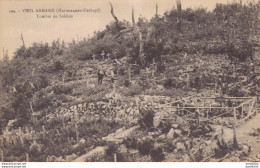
83, 24
